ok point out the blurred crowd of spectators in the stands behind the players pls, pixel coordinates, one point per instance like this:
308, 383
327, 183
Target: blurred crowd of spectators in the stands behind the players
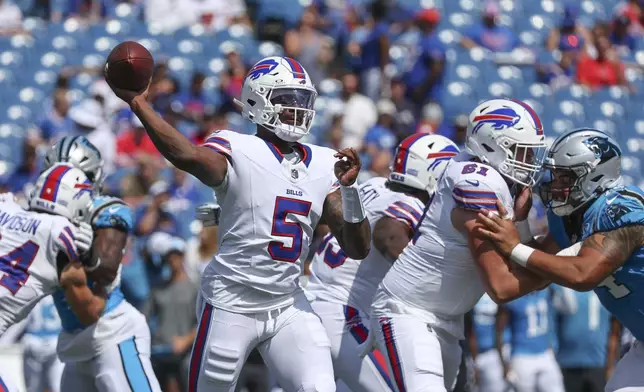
373, 94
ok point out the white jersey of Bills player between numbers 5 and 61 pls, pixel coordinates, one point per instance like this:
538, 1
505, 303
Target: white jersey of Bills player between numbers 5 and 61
339, 279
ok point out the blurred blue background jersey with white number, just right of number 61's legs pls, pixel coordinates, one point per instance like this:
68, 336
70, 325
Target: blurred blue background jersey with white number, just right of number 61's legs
530, 323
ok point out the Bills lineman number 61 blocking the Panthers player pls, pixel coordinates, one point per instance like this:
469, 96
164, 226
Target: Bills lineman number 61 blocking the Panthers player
419, 308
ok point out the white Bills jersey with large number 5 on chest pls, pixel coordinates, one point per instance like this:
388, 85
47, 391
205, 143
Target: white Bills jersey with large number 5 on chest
270, 205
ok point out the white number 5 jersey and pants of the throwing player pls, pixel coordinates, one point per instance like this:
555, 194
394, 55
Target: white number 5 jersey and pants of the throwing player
250, 294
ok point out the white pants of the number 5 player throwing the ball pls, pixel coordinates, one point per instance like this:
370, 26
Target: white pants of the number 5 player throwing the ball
291, 340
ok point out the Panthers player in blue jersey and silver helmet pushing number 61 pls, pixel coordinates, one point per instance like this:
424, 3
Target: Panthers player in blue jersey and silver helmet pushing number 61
607, 218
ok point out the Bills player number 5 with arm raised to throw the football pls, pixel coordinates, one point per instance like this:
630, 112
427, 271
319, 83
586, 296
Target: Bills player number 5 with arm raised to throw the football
273, 192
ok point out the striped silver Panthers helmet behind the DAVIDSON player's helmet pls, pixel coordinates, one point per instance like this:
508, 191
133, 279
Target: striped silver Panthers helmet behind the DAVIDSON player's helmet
78, 152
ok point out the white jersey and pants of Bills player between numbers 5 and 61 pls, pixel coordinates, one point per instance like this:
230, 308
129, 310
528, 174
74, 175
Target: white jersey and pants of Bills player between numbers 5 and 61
343, 289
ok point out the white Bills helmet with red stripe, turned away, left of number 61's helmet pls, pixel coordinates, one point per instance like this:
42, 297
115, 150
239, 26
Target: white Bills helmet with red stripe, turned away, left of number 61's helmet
421, 159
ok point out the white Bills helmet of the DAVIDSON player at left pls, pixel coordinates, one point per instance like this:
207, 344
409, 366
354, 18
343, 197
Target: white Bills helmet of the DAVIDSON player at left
63, 190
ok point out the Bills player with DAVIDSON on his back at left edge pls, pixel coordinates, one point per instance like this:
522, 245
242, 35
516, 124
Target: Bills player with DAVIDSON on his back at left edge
39, 246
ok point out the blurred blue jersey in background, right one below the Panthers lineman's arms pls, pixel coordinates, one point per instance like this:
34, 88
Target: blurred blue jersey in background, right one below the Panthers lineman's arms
583, 328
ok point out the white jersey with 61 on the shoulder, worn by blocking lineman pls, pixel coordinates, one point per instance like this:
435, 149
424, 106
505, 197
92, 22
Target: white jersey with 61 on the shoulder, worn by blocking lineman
436, 275
